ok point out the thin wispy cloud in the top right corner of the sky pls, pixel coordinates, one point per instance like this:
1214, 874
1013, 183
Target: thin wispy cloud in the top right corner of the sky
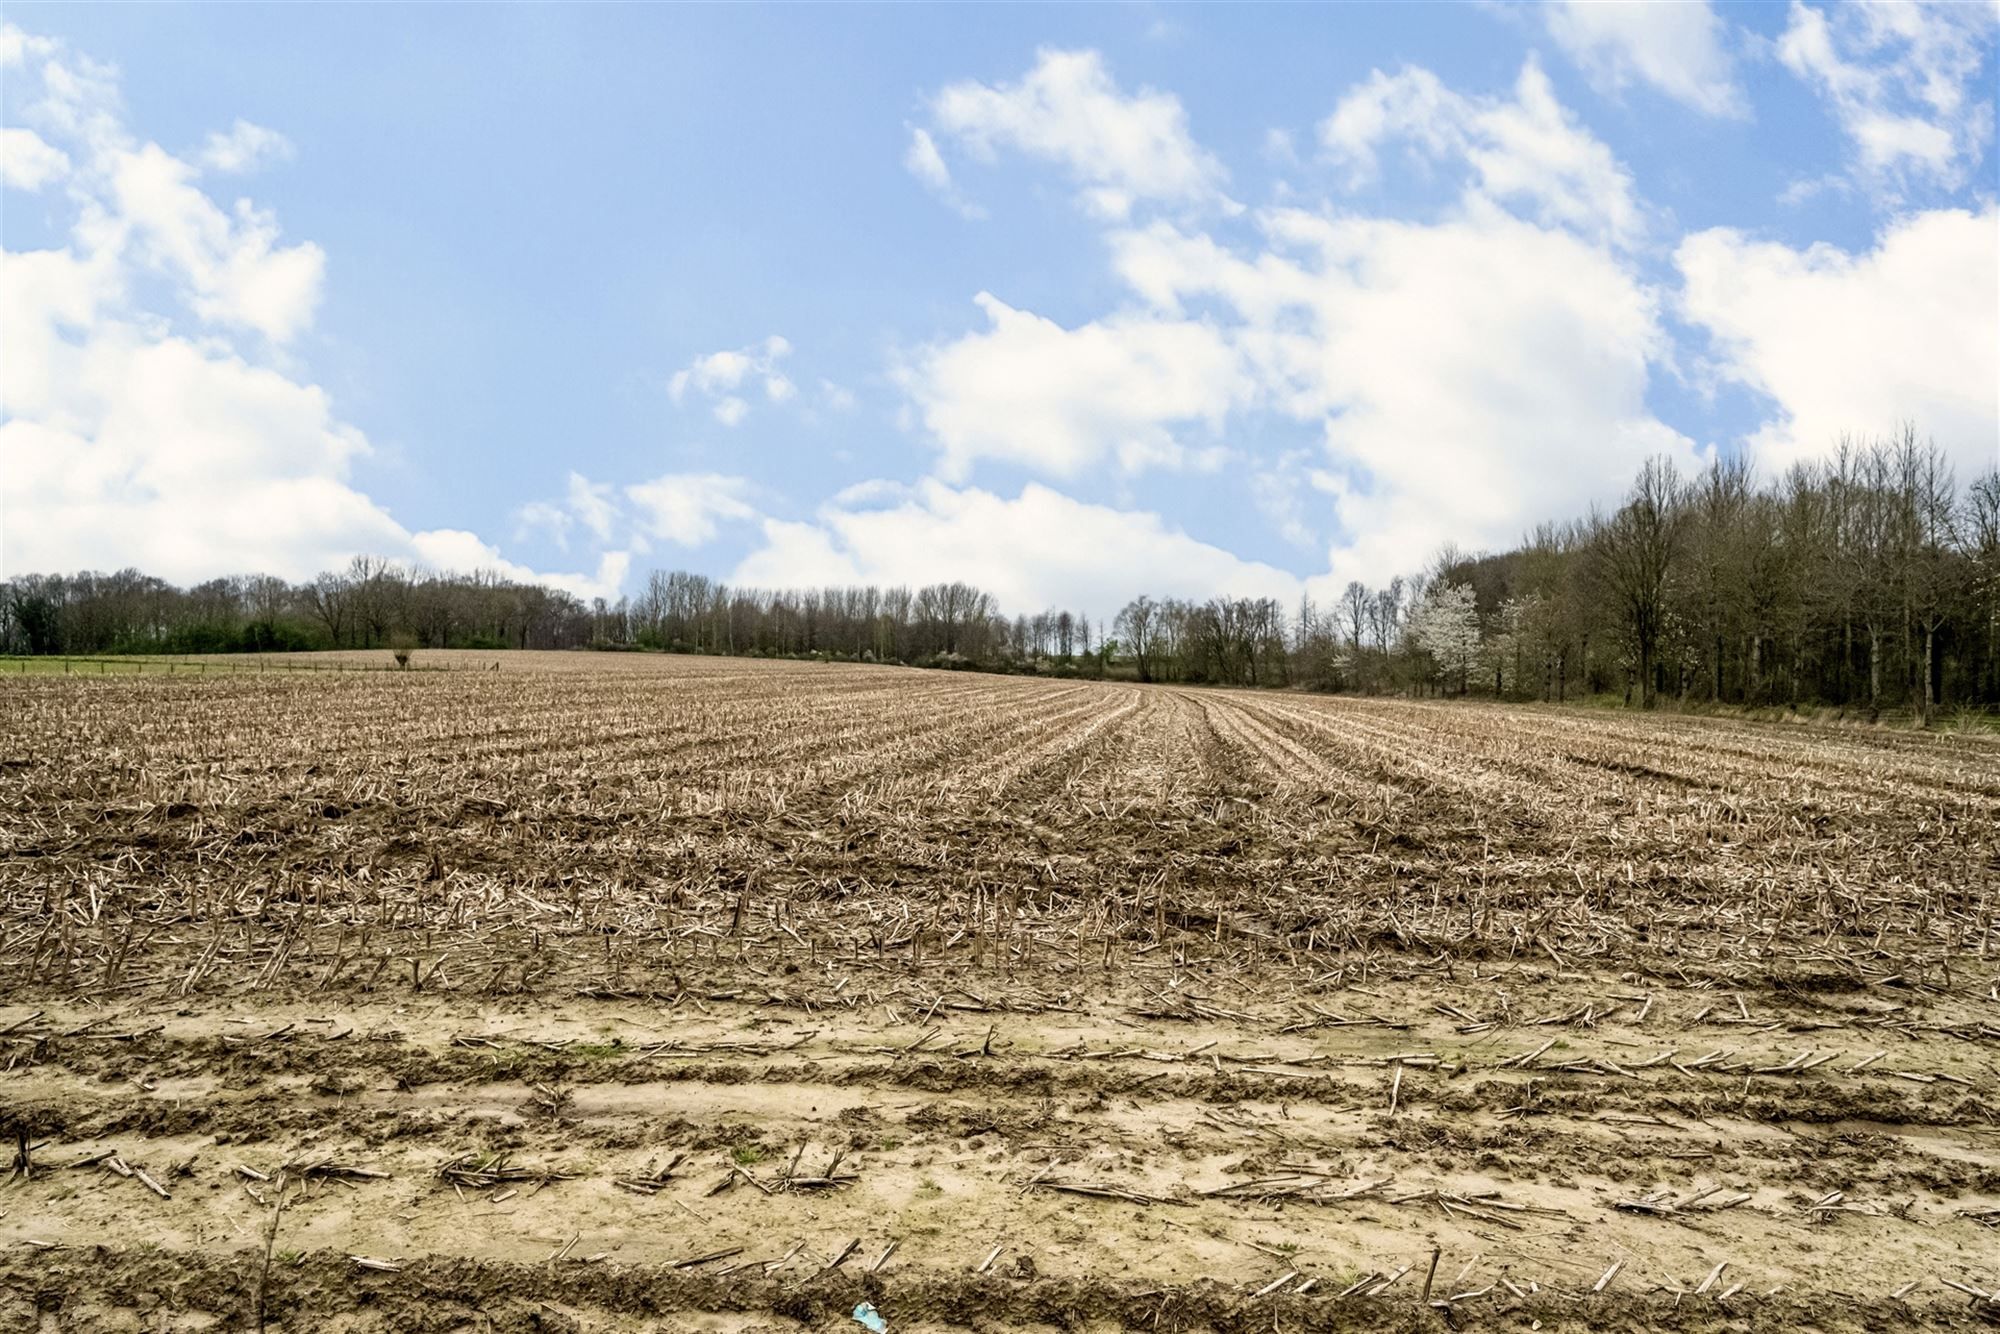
1905, 85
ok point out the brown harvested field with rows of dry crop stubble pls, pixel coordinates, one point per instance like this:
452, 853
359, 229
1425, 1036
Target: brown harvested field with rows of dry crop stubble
633, 993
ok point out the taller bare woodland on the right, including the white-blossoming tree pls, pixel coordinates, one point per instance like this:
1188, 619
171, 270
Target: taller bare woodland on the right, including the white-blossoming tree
1869, 581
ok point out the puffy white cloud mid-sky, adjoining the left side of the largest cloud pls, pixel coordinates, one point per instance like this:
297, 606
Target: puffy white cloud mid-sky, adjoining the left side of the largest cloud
1061, 401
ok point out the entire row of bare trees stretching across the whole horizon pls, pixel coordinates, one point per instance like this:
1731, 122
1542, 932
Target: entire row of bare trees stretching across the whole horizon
1865, 581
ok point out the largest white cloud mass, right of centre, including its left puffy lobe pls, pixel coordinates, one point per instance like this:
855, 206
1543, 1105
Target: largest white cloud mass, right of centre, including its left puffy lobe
1467, 377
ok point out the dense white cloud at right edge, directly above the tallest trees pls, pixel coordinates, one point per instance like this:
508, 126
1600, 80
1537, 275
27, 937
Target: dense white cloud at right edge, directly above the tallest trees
1859, 343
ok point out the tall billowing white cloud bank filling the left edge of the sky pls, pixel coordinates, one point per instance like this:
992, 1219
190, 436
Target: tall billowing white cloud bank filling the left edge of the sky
161, 435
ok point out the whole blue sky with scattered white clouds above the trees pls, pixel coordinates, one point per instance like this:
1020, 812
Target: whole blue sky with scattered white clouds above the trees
1067, 303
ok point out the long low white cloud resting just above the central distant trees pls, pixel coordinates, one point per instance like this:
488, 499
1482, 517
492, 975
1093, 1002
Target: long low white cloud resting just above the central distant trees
1033, 551
